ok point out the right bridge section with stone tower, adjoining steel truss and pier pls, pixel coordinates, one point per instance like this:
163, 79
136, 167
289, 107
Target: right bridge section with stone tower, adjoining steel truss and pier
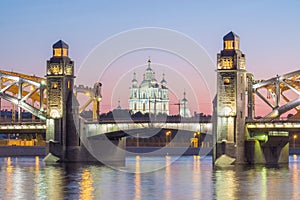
240, 135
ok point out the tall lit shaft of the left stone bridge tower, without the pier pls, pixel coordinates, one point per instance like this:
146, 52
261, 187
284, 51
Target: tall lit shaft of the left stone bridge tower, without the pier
60, 81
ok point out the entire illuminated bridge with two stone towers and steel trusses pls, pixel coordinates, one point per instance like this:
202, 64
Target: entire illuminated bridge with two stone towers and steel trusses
238, 132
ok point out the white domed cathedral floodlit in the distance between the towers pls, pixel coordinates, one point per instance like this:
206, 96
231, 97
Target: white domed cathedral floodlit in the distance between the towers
149, 96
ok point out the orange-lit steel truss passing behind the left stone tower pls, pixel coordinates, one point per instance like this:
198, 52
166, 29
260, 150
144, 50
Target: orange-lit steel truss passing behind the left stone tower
17, 88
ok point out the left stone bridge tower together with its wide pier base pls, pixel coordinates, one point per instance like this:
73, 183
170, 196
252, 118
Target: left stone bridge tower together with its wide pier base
63, 141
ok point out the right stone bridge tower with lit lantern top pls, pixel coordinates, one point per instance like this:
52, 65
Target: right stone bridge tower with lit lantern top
229, 107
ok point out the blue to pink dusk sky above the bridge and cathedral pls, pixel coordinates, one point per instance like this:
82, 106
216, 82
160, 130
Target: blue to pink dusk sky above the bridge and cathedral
269, 32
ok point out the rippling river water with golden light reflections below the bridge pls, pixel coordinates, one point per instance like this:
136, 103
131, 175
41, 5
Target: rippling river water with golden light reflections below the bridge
187, 178
